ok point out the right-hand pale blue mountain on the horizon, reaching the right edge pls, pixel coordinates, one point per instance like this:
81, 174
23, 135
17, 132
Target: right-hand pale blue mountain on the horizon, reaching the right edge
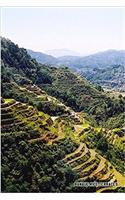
98, 60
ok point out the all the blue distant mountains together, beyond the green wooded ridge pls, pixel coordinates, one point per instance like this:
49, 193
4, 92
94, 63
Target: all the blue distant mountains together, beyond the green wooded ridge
103, 68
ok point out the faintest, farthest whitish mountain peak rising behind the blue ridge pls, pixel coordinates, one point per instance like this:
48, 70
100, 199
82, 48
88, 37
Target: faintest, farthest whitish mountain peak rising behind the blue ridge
62, 52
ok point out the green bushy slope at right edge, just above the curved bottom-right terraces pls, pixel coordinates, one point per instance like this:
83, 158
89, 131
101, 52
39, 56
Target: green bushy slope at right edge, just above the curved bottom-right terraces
109, 144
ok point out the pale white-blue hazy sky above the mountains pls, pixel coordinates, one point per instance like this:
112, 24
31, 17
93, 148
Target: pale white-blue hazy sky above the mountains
85, 30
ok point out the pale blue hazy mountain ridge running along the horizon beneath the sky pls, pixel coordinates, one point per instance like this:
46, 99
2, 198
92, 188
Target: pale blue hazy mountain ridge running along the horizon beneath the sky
98, 60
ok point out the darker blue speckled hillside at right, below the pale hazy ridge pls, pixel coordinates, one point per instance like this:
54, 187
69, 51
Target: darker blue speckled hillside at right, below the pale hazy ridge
110, 78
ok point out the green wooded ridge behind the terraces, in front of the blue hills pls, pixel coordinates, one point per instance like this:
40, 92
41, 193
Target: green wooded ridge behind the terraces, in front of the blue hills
78, 93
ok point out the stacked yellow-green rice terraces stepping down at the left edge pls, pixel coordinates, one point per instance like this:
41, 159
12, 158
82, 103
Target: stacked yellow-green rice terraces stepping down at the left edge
17, 116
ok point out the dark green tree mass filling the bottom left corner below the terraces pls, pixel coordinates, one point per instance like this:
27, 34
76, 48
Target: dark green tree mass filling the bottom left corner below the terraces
34, 167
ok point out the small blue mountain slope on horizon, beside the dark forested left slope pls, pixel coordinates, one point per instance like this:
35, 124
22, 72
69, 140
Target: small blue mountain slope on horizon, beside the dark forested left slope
42, 58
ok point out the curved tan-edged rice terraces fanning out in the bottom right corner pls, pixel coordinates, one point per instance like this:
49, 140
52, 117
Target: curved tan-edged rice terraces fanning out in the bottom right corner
93, 167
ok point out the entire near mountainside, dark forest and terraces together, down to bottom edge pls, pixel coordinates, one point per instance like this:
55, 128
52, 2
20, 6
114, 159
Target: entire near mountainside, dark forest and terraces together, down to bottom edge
57, 129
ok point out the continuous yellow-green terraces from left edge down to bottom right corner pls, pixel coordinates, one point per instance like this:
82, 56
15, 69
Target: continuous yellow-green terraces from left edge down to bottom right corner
36, 127
